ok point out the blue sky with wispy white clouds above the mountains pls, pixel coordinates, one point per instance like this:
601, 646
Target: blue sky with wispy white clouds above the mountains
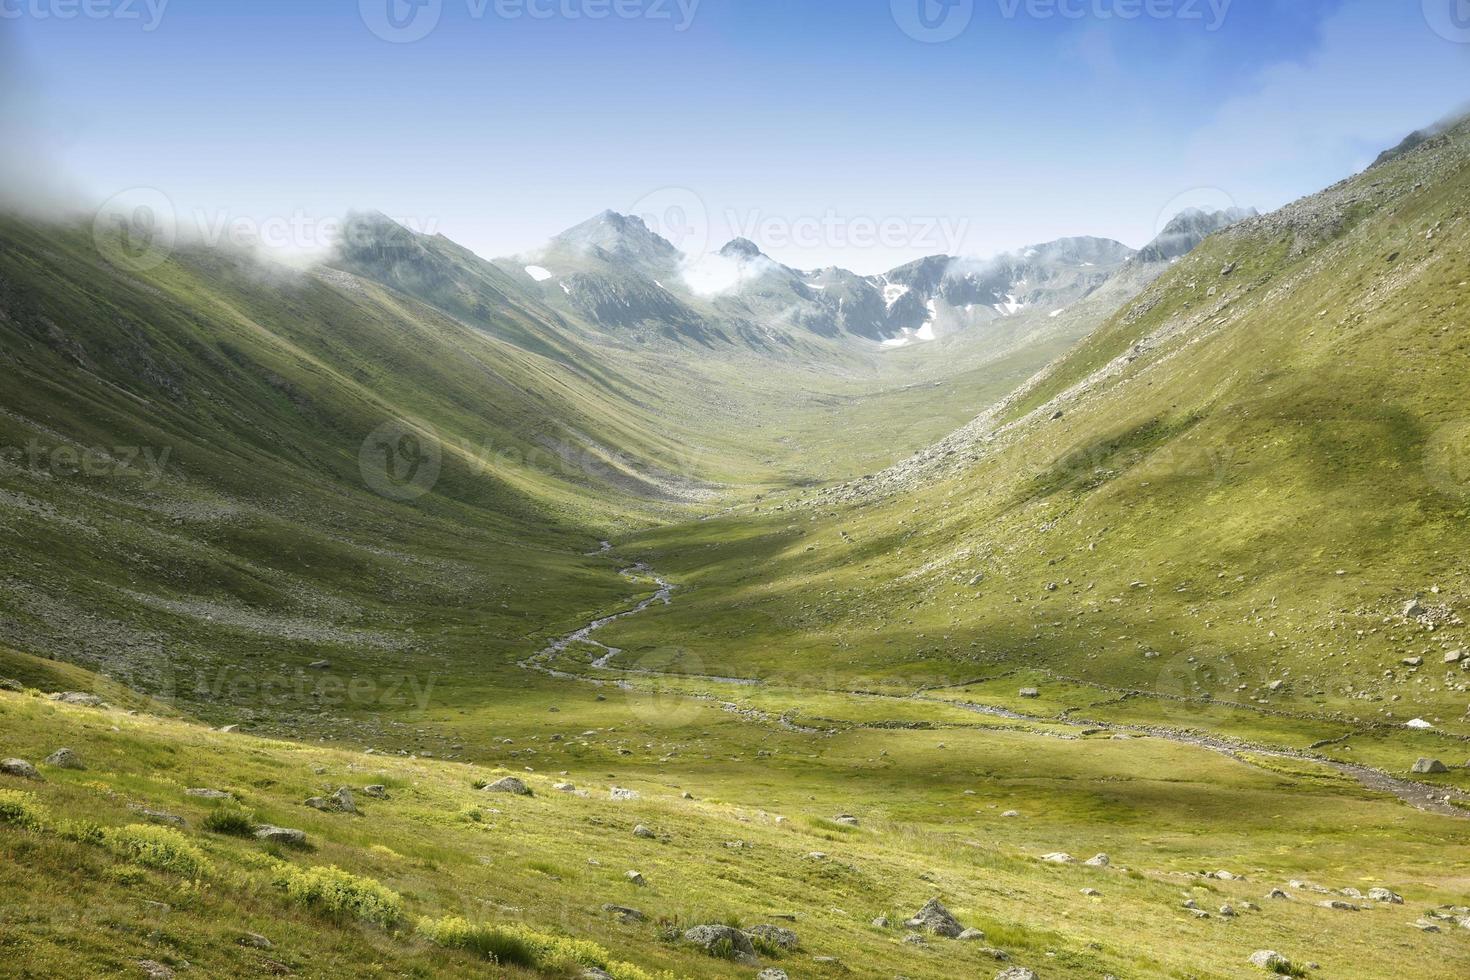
853, 133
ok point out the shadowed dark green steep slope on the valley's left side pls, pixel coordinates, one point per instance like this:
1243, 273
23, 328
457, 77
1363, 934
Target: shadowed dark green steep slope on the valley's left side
226, 466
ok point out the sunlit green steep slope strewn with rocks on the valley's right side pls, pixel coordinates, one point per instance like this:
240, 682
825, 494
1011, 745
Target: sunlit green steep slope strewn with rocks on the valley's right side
1243, 497
